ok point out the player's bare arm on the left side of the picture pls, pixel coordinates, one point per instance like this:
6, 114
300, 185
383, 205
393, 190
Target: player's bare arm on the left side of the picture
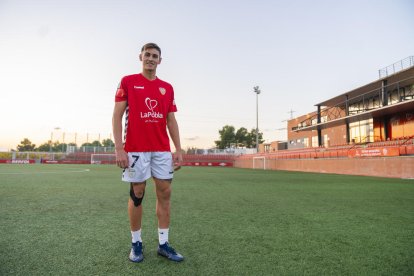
121, 156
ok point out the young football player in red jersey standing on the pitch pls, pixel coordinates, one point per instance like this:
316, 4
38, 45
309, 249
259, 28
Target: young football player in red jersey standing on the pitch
148, 104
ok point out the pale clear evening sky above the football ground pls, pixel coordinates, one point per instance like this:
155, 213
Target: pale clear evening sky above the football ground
61, 61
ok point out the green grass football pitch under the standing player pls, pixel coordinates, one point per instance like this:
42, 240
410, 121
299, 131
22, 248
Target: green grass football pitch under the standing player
72, 219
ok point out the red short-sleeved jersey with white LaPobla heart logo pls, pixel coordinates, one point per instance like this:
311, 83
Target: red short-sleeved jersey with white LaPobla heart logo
148, 105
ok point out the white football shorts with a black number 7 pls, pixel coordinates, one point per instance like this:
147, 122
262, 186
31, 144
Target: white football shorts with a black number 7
143, 165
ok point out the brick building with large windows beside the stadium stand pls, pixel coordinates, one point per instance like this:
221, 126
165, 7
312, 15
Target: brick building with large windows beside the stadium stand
378, 111
